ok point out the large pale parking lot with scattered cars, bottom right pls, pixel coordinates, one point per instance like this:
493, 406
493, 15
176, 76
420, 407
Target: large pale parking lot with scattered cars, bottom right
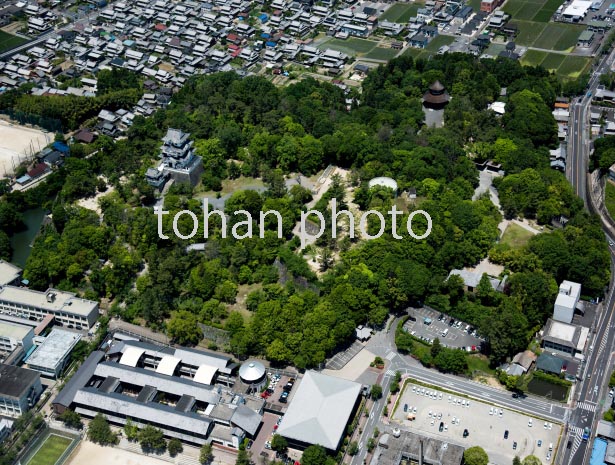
486, 425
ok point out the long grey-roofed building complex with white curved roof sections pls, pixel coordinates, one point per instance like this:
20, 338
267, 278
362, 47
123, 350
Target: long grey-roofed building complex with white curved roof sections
170, 388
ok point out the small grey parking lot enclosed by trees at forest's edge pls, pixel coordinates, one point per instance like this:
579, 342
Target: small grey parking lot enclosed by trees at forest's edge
456, 336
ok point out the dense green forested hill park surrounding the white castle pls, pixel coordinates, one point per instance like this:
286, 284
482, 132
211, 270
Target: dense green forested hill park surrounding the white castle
247, 127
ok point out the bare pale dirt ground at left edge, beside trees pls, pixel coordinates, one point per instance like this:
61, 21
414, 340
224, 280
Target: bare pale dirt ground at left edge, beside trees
17, 143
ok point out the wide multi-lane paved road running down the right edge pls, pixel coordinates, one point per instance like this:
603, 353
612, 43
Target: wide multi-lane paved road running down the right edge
592, 391
